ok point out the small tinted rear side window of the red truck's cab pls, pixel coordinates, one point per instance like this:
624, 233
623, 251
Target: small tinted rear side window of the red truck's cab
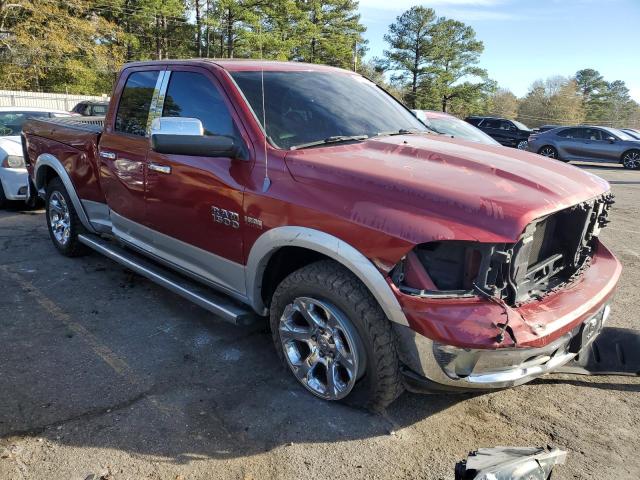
135, 101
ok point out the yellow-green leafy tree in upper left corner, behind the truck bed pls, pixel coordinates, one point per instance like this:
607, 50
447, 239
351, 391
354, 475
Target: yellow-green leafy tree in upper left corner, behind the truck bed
57, 46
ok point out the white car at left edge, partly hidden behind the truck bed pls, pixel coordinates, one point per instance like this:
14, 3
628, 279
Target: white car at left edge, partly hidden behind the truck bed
13, 174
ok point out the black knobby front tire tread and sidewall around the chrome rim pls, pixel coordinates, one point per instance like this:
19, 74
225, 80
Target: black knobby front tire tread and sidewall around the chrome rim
326, 280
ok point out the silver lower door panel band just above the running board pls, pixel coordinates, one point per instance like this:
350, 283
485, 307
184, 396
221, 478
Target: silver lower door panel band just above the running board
204, 266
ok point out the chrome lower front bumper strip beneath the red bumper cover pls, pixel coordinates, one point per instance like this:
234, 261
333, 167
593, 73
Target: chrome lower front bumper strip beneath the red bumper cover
483, 369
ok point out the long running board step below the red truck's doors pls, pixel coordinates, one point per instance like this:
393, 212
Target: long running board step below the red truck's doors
217, 303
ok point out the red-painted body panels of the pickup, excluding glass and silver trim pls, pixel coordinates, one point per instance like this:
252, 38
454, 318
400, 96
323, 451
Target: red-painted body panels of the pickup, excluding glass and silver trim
382, 196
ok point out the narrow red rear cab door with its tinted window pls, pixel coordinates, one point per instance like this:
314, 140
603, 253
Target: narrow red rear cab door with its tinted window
124, 145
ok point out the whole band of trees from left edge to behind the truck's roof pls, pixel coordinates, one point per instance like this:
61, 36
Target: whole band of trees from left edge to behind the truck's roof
78, 46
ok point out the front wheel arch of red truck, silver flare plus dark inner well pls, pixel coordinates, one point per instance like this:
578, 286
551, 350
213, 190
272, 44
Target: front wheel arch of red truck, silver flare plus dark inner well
310, 244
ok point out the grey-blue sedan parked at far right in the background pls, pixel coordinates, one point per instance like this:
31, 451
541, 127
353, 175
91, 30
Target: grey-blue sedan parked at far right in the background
587, 143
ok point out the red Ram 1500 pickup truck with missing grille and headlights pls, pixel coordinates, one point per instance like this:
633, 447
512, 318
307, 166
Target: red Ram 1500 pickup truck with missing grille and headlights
385, 256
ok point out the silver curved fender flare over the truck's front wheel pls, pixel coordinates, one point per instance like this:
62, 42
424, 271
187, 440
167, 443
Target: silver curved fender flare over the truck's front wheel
291, 236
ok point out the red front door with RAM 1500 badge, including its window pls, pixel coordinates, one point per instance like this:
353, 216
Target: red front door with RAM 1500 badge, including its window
195, 204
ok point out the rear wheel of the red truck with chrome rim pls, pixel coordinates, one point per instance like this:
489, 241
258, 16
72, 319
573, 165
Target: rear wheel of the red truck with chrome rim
62, 220
